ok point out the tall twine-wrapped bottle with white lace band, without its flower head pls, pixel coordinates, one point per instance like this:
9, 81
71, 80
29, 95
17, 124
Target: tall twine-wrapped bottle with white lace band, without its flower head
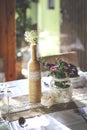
34, 77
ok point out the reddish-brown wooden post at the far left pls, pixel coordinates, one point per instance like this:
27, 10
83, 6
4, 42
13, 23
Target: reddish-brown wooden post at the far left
8, 37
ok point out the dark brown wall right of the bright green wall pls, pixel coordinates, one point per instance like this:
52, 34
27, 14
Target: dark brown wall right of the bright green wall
74, 13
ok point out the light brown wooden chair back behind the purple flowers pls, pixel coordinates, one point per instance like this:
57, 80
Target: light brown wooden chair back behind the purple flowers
69, 57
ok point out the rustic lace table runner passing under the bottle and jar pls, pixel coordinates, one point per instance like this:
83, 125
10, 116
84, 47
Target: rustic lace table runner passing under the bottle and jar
21, 104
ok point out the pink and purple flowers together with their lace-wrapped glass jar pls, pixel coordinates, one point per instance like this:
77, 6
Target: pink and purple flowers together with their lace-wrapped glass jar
61, 72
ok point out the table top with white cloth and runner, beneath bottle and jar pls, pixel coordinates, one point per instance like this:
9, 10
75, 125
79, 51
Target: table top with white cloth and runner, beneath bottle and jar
64, 115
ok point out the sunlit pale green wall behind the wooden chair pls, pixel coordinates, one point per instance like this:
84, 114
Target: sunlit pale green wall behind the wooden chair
48, 28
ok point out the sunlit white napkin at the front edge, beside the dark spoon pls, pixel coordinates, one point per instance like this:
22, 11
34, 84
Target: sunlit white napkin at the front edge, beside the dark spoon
44, 122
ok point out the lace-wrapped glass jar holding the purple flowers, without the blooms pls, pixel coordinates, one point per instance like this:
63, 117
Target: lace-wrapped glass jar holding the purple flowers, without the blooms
63, 93
